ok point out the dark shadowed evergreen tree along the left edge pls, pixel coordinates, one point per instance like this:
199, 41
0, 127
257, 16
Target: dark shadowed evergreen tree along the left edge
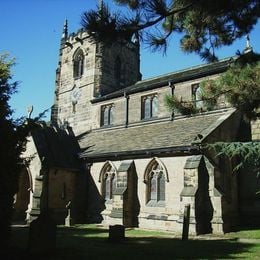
12, 142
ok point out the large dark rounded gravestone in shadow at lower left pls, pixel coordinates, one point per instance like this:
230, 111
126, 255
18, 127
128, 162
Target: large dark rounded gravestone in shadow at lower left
42, 234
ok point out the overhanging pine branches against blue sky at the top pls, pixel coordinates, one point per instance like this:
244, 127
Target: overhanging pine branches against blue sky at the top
204, 25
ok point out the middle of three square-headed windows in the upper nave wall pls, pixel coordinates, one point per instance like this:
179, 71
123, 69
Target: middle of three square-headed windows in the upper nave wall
149, 106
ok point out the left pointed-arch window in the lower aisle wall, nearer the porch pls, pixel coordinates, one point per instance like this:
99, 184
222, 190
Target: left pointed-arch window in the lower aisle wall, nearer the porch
108, 181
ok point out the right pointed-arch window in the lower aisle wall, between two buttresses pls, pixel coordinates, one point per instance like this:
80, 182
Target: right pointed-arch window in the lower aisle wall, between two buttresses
155, 179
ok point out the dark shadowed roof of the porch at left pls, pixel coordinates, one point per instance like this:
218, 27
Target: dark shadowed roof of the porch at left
56, 147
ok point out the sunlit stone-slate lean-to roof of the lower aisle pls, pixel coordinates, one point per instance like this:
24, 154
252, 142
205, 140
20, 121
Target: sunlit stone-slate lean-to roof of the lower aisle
178, 134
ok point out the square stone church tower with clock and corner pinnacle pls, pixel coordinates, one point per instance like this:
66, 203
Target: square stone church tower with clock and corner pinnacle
88, 69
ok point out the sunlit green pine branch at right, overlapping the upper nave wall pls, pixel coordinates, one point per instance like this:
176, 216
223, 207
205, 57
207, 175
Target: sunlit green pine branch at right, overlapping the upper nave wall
239, 86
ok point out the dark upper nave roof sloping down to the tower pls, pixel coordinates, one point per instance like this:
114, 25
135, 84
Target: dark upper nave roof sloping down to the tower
174, 77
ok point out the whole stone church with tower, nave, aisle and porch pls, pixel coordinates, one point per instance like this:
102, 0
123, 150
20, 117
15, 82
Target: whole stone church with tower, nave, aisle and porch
118, 155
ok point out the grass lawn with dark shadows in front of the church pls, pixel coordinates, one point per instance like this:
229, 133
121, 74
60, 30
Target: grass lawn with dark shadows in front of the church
91, 242
